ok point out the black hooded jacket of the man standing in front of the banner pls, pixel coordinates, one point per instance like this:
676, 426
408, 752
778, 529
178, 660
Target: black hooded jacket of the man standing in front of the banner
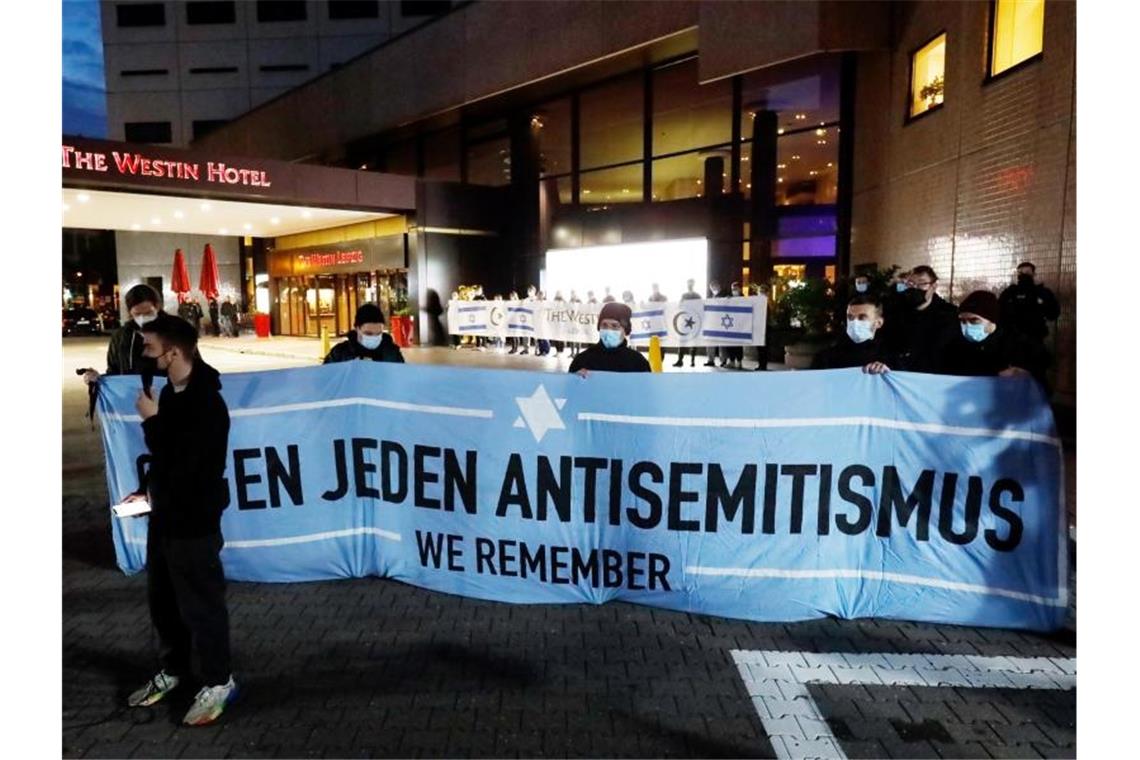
189, 442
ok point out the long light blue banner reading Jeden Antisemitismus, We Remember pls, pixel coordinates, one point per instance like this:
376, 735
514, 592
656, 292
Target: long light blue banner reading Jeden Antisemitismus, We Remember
776, 497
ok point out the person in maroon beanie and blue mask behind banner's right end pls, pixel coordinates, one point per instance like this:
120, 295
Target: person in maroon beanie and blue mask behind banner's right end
988, 348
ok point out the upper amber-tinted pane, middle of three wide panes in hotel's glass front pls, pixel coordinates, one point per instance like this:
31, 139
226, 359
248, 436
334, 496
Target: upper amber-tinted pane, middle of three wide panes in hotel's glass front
688, 115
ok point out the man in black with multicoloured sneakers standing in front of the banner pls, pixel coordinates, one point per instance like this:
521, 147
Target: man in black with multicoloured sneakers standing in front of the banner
186, 431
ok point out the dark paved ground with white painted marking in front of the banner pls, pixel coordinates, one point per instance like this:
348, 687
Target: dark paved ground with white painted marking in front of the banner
374, 668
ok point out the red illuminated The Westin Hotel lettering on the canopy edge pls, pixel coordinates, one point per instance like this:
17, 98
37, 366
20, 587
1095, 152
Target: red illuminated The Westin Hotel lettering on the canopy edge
128, 164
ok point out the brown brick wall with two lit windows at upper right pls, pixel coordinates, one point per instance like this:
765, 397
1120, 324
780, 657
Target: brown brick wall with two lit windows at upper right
987, 182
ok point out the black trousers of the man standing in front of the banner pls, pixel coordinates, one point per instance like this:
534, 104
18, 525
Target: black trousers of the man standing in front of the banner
186, 592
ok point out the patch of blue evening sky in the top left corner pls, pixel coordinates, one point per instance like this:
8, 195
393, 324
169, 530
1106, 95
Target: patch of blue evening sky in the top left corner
85, 91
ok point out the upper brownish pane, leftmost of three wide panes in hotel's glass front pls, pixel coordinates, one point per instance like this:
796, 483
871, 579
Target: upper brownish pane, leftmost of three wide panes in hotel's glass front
612, 119
